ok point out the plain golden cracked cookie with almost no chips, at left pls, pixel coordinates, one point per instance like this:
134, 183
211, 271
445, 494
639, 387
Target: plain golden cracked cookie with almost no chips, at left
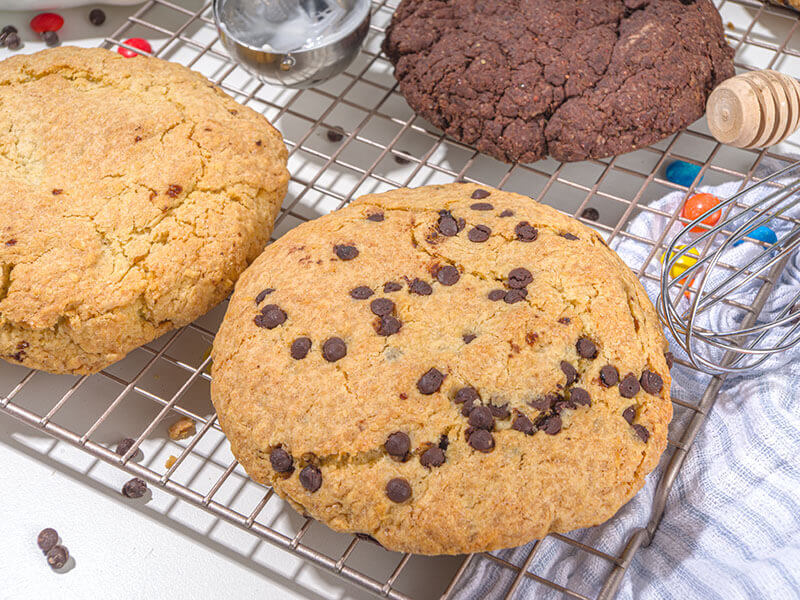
134, 194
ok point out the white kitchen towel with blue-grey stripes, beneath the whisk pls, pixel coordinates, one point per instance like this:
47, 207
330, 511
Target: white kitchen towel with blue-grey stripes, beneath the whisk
731, 529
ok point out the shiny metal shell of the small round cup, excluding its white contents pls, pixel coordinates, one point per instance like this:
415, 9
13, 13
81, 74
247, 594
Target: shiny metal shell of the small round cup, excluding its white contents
296, 69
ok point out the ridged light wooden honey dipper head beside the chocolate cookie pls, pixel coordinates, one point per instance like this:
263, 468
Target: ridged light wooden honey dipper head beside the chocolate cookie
754, 109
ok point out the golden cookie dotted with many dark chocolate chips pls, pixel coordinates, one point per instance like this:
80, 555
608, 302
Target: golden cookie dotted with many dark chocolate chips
446, 369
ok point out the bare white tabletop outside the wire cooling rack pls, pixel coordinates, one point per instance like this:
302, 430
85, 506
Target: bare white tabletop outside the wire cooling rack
156, 547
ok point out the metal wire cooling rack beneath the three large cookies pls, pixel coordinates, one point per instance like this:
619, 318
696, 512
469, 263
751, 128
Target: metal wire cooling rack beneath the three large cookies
384, 146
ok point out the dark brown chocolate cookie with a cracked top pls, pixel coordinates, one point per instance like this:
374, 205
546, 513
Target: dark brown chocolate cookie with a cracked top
521, 79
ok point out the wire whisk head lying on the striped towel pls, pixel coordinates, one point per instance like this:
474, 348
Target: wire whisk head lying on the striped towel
740, 313
